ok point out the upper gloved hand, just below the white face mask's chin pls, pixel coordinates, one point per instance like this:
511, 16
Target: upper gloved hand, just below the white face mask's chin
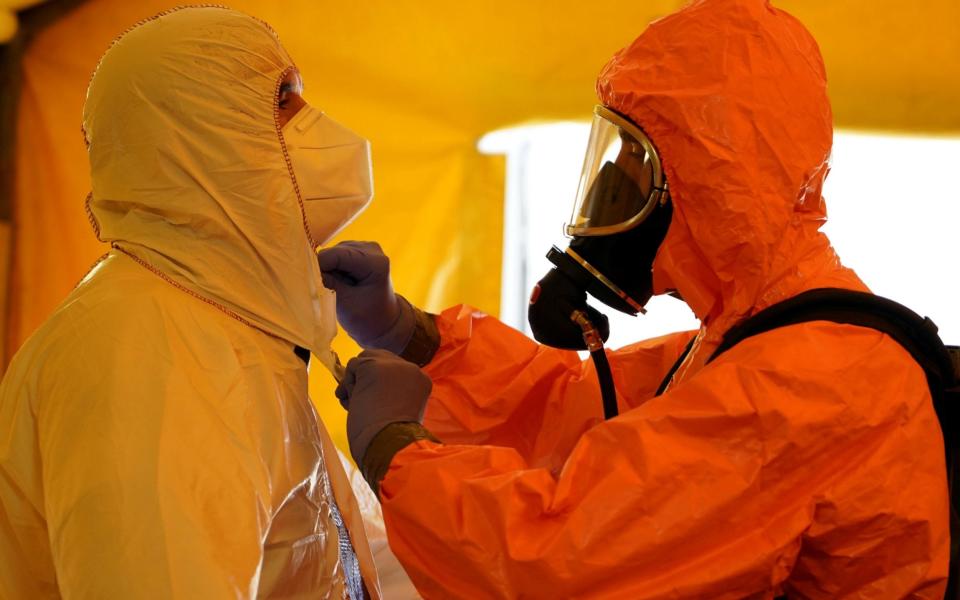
367, 307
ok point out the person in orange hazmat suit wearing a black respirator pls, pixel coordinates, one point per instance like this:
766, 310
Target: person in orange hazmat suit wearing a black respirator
807, 461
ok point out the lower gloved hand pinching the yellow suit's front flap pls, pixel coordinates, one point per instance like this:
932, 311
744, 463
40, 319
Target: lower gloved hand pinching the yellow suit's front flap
380, 388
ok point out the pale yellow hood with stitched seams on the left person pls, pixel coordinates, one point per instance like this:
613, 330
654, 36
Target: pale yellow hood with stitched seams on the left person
190, 175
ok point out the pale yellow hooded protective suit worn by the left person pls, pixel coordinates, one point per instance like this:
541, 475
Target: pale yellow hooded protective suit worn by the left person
156, 438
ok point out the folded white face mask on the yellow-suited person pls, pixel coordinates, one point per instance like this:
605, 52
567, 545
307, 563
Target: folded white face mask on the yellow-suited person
332, 168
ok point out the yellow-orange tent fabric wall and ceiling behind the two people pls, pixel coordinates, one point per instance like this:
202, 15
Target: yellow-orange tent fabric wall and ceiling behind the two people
424, 80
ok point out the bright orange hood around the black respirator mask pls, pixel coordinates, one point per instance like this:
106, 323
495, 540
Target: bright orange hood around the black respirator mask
733, 94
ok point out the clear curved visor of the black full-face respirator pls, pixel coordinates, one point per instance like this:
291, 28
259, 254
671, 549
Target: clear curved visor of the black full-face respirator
622, 179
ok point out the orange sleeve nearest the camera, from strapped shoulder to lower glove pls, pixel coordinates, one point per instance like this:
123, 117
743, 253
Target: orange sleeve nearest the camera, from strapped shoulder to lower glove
792, 440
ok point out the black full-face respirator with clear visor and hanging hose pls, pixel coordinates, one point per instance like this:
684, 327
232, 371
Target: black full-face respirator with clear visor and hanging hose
620, 218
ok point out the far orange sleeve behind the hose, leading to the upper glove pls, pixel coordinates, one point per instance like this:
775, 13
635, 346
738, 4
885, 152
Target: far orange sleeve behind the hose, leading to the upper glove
494, 385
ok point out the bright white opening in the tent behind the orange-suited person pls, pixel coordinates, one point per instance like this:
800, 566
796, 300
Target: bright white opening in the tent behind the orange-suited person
894, 205
